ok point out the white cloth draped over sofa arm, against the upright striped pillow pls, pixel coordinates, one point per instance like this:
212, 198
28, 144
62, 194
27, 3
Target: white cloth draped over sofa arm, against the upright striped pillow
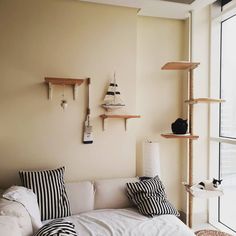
29, 200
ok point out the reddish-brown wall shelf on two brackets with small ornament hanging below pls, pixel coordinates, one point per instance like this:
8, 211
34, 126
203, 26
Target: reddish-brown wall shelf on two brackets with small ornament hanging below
62, 81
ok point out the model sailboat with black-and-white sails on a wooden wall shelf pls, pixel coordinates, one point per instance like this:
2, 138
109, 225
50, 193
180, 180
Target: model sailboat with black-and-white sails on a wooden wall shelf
113, 99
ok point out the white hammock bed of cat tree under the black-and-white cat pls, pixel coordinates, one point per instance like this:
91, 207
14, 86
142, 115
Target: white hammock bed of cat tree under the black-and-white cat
201, 193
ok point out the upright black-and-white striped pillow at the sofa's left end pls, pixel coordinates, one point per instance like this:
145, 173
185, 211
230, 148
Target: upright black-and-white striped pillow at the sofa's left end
49, 187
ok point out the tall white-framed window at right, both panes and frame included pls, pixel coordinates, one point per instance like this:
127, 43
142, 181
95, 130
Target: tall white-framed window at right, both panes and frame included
222, 210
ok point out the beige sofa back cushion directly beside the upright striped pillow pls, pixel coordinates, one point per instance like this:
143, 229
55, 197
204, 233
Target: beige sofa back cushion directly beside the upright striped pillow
81, 196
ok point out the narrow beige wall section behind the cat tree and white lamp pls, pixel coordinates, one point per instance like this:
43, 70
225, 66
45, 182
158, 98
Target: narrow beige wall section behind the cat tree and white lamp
159, 94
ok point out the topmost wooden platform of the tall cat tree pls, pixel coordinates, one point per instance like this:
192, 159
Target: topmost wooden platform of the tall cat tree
180, 65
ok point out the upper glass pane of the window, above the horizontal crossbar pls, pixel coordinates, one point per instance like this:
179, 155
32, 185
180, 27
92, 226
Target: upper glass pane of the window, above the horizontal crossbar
228, 78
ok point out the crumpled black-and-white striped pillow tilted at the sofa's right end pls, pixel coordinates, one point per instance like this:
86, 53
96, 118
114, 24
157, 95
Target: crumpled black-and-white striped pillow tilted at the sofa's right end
150, 197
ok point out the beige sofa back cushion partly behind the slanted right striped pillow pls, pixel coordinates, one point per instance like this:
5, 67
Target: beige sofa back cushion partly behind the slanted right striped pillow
111, 193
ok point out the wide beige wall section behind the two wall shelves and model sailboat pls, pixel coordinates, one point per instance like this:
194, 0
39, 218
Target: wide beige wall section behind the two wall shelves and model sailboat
65, 39
